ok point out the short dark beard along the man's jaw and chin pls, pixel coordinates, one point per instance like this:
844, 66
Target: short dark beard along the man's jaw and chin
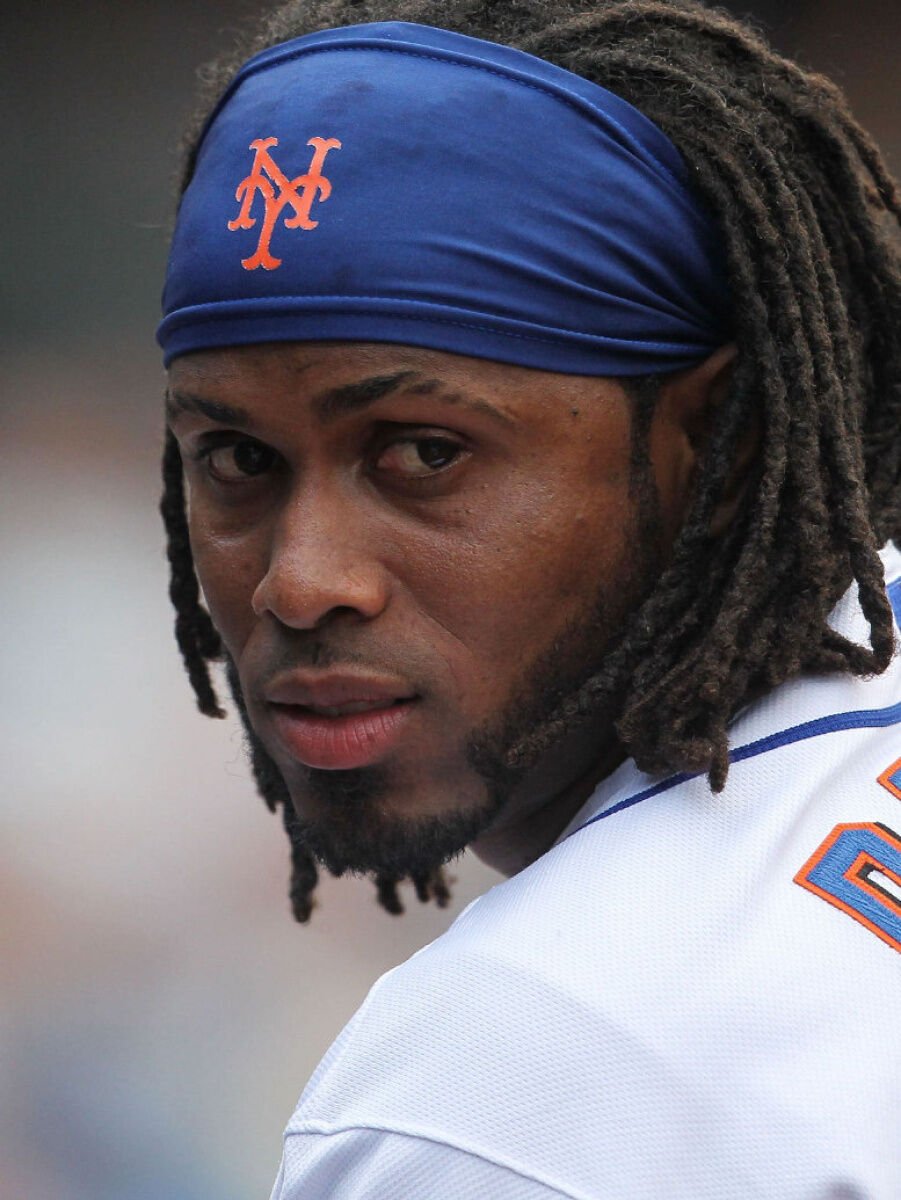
576, 681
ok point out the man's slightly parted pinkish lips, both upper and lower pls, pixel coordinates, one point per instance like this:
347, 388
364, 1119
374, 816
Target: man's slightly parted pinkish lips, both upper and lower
339, 722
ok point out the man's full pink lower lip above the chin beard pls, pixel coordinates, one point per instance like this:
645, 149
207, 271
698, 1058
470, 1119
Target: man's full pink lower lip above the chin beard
340, 737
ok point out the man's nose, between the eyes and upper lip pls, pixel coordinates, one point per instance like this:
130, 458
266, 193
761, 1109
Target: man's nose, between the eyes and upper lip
322, 563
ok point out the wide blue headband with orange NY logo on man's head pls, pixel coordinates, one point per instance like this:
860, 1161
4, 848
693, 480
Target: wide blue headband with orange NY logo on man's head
395, 183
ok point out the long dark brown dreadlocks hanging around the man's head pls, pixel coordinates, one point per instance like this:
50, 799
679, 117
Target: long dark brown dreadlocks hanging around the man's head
809, 219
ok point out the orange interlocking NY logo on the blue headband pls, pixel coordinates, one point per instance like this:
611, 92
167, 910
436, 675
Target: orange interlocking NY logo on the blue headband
280, 193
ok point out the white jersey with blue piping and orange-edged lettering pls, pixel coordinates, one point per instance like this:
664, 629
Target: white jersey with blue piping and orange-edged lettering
690, 997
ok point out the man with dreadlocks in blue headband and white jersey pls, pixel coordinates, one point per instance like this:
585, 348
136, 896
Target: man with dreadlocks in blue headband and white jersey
537, 382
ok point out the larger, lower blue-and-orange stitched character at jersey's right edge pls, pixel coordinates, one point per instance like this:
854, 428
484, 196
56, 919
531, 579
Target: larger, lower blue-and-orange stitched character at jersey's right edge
858, 869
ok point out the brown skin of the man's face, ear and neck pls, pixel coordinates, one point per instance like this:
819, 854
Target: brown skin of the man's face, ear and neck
439, 524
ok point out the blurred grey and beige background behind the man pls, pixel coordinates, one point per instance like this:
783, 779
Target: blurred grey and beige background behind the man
160, 1010
